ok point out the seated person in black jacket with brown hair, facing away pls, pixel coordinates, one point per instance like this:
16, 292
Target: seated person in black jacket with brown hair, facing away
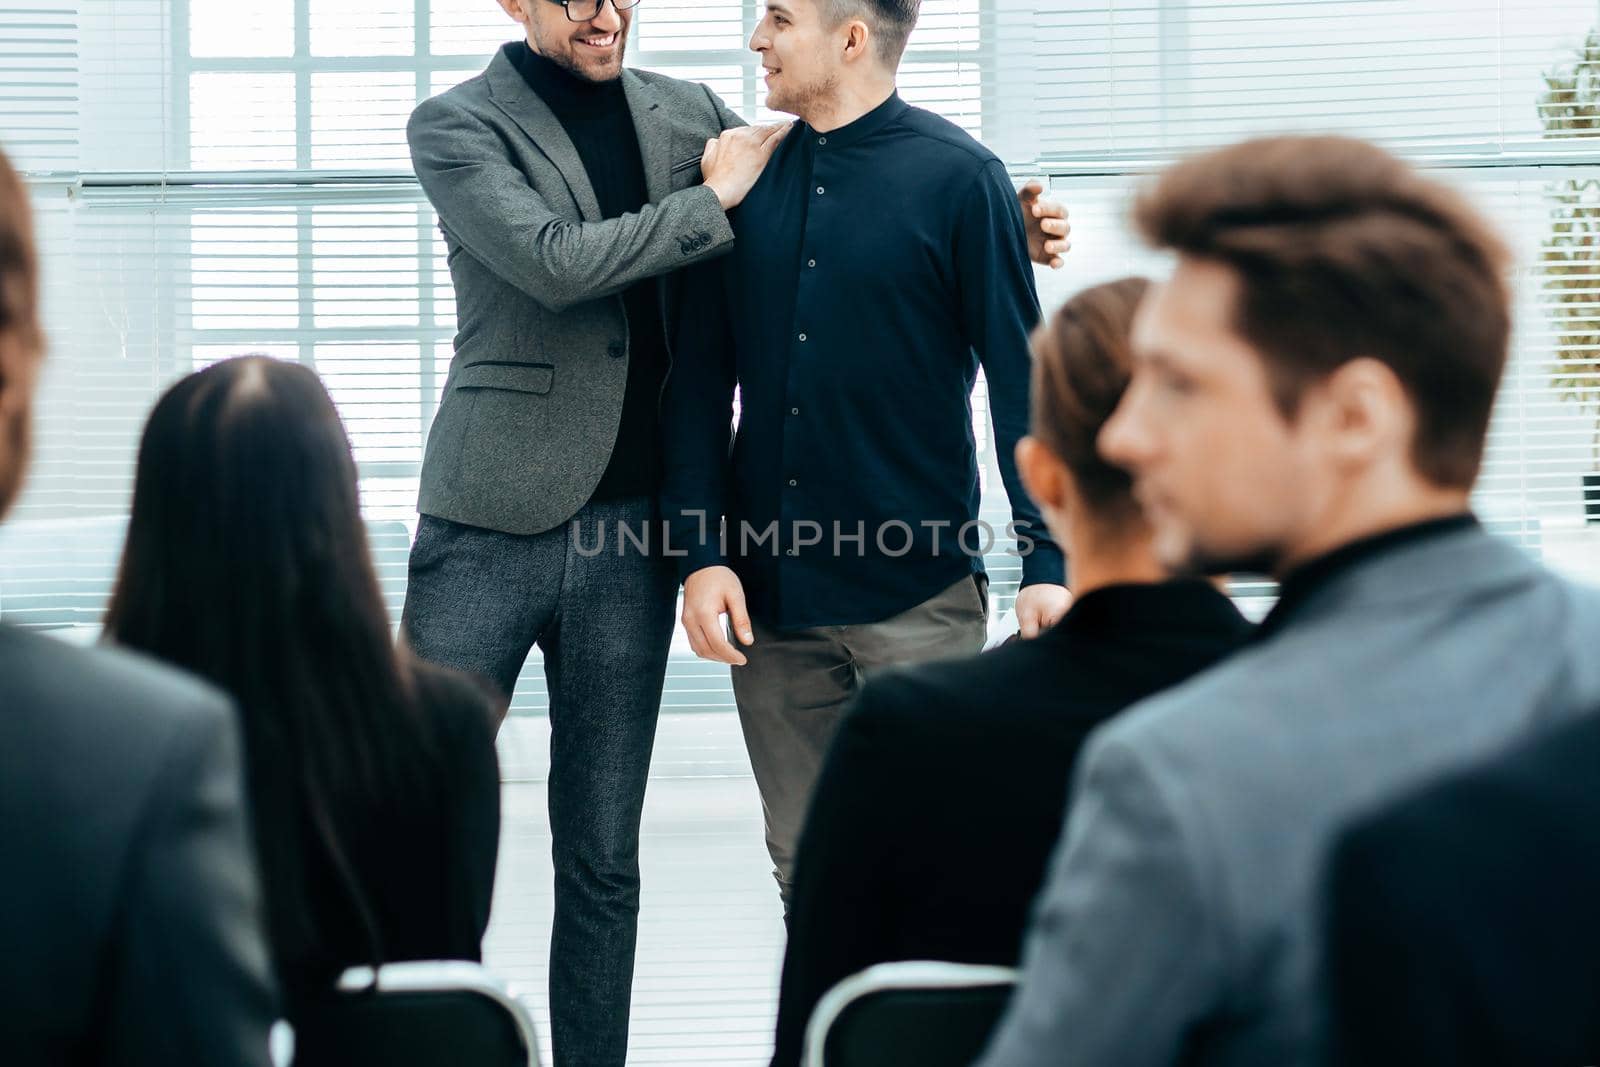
946, 786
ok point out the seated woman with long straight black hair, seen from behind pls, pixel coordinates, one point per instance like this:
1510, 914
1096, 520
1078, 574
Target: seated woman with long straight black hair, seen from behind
374, 781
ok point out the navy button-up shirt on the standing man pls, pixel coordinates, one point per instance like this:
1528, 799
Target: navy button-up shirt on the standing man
876, 268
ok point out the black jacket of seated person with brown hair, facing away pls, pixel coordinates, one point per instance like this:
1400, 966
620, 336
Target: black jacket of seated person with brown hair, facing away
946, 788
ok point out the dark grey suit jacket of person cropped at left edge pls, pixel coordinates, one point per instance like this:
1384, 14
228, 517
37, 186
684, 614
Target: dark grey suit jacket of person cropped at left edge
130, 921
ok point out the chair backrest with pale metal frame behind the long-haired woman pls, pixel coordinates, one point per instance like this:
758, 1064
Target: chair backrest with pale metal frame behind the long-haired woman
417, 1015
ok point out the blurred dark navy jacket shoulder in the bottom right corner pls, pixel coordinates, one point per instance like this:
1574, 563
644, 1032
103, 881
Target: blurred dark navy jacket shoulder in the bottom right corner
1465, 924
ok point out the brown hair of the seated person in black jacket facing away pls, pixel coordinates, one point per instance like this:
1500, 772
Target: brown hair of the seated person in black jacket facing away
1081, 370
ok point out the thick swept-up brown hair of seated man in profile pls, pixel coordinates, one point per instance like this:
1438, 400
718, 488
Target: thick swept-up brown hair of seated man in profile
1345, 252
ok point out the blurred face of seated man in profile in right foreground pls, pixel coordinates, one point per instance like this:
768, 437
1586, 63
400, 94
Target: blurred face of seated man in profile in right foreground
1226, 481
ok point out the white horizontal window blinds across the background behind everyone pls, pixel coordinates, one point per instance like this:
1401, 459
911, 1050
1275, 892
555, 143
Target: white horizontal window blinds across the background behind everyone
215, 180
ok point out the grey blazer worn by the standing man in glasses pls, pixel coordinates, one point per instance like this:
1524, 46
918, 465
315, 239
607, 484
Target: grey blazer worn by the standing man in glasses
535, 391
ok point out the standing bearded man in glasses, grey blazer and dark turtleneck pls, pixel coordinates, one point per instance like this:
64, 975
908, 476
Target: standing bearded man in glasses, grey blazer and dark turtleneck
569, 191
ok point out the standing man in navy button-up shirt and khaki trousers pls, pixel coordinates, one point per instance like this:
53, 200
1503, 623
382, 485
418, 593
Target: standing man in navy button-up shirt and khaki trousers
879, 262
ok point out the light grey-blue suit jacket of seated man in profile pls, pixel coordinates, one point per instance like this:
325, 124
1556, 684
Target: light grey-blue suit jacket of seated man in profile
1180, 921
